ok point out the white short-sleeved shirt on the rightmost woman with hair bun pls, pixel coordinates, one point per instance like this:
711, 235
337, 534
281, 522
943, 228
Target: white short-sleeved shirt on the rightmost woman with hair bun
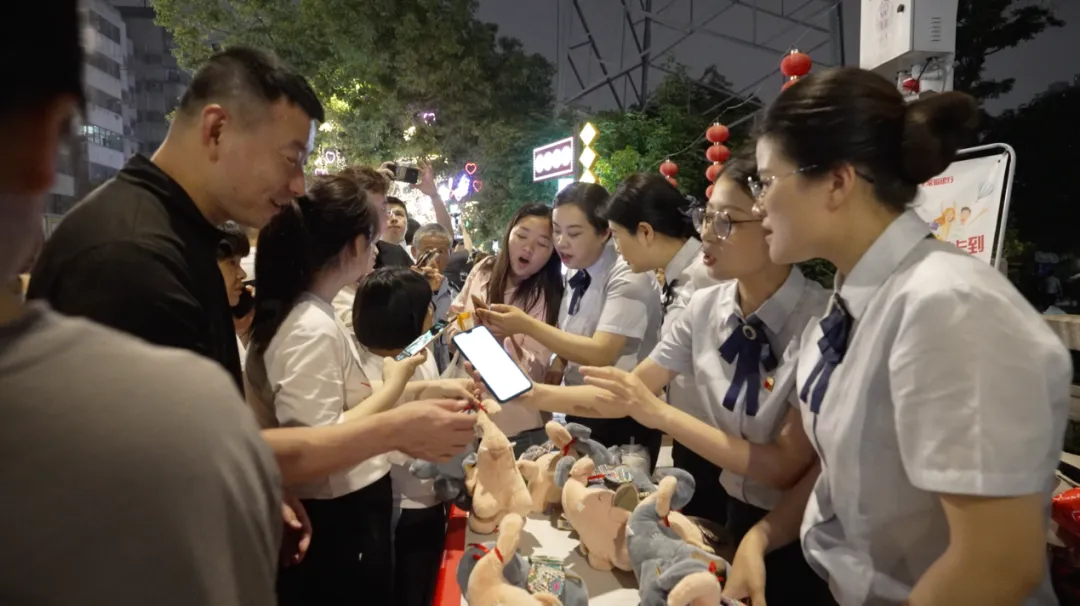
951, 384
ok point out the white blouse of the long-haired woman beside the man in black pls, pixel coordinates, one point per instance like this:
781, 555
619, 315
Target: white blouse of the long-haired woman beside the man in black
313, 370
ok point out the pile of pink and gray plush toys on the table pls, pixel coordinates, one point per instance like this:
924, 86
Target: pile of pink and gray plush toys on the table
625, 518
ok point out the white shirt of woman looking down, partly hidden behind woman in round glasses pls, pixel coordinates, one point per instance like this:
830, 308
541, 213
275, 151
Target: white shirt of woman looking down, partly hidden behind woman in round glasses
685, 274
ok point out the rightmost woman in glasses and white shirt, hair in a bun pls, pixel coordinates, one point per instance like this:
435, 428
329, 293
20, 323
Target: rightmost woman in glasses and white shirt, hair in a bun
935, 395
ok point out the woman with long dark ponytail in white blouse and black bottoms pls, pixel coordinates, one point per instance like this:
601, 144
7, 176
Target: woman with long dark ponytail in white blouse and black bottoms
304, 369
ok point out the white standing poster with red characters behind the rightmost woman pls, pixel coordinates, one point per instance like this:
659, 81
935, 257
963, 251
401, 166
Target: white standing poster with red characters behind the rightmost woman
968, 205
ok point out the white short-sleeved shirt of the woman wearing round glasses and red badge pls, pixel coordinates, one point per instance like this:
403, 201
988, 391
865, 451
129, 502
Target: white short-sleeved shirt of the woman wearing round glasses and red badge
694, 347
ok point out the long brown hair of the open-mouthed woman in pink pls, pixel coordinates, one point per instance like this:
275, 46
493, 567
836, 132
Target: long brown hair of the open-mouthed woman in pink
547, 284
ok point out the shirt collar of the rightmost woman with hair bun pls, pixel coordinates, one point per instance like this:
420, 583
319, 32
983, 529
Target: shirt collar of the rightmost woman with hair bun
879, 263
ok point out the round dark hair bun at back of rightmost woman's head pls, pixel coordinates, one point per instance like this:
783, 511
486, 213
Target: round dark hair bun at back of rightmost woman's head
935, 129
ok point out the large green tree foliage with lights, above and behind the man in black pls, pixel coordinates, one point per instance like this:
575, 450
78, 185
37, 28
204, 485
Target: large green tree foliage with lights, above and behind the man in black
382, 65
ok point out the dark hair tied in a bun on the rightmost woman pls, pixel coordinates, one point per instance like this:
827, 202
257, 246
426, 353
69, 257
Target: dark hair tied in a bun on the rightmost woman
848, 115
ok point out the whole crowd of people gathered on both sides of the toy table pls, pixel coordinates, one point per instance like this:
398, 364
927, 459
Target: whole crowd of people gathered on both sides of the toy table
182, 429
